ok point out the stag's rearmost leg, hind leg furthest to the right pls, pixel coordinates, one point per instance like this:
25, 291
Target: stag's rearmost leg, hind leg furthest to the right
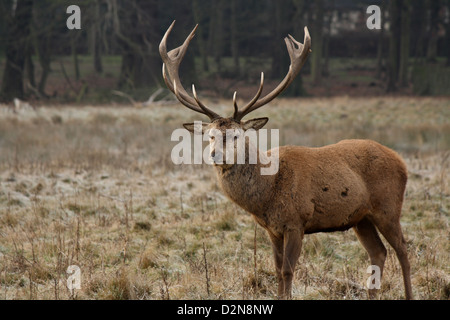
392, 231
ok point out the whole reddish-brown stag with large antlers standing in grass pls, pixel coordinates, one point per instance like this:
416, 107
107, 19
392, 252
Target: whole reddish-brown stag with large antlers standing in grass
353, 184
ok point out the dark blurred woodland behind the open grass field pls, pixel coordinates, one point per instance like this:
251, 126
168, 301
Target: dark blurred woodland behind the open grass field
114, 56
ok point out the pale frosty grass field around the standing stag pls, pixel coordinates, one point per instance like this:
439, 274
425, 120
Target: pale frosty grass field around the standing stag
95, 187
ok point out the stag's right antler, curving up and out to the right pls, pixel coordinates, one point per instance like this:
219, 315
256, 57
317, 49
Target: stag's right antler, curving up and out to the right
298, 56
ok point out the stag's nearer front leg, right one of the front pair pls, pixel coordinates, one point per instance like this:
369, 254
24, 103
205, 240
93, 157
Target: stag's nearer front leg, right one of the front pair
291, 251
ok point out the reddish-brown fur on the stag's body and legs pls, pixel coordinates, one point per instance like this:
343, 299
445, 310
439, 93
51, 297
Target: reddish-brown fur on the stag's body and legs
355, 184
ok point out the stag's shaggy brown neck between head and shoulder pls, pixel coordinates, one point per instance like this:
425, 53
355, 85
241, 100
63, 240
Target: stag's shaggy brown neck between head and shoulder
245, 185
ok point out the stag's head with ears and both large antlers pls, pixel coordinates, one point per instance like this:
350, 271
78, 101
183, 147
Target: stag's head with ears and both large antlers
227, 129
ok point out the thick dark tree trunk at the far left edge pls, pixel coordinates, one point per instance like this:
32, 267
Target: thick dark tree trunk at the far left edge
16, 44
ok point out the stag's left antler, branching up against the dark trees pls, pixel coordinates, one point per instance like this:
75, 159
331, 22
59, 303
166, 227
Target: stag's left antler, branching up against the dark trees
172, 61
